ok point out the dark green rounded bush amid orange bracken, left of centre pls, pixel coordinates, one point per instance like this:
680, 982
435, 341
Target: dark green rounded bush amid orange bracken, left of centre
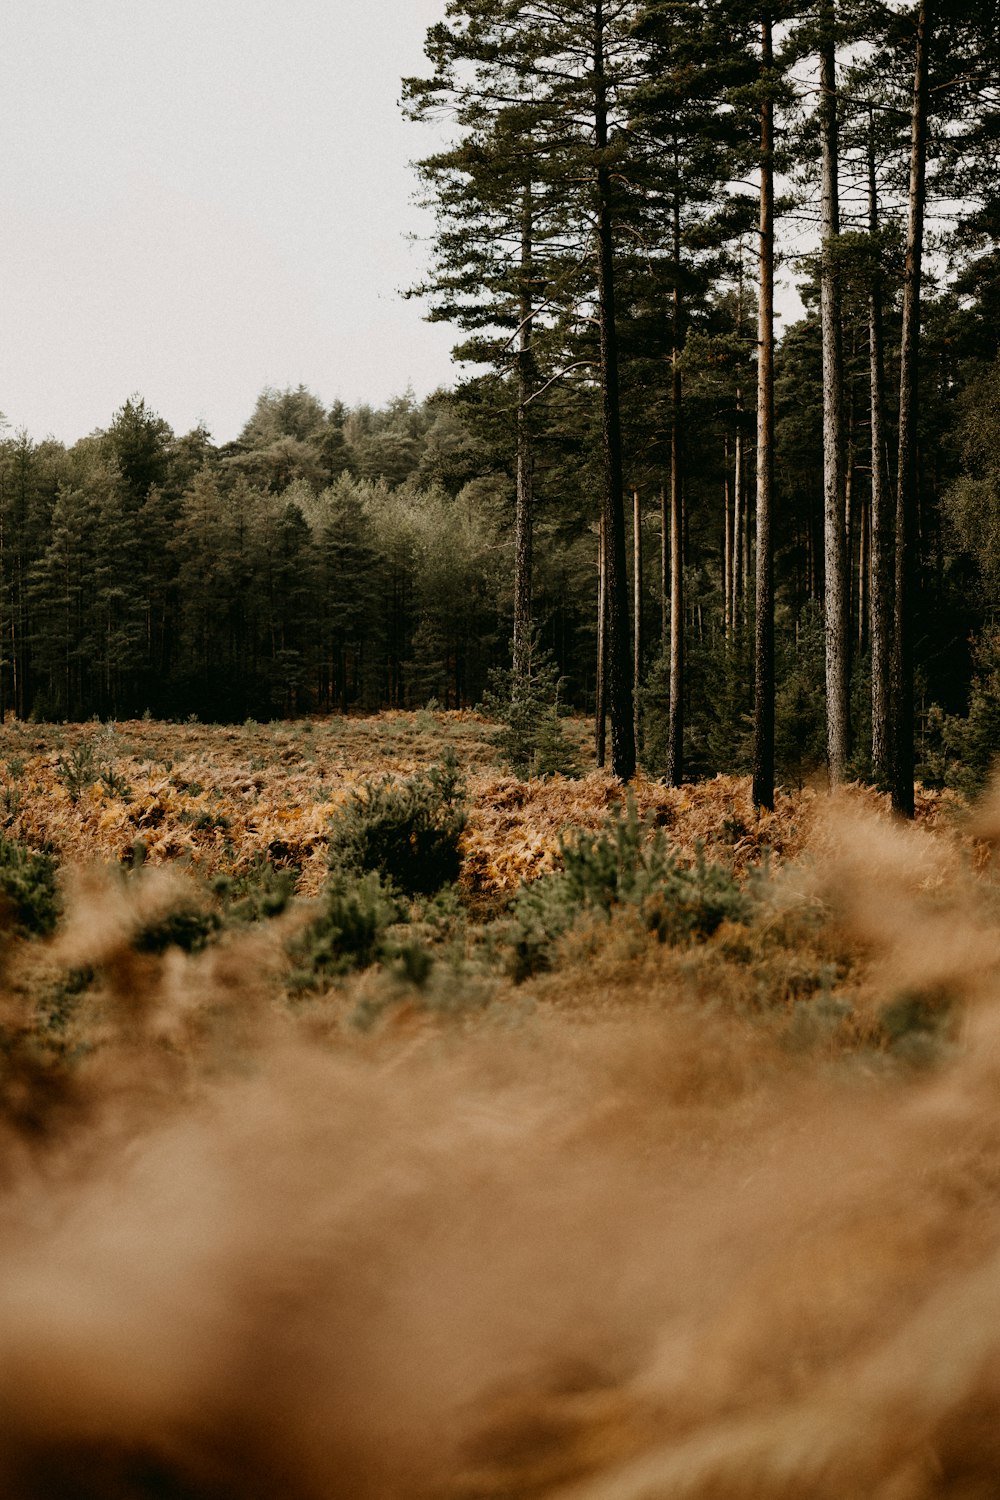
407, 832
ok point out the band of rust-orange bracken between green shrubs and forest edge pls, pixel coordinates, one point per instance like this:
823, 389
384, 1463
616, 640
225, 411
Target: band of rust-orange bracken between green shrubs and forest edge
224, 797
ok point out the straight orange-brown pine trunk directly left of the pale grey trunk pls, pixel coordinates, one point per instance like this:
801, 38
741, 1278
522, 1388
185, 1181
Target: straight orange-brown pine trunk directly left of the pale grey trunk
764, 625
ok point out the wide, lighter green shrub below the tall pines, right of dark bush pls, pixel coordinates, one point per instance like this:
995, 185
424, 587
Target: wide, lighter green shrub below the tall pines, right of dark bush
626, 863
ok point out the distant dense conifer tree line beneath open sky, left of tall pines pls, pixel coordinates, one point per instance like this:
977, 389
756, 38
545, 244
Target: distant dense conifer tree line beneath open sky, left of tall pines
326, 560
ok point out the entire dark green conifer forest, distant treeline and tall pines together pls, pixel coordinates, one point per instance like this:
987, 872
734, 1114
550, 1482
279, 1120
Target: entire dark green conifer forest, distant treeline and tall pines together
750, 553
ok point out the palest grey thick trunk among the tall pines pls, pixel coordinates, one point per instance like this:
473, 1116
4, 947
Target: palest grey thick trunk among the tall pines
836, 604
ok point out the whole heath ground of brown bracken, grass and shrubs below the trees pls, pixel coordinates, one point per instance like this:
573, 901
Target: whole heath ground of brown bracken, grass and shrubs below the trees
654, 1157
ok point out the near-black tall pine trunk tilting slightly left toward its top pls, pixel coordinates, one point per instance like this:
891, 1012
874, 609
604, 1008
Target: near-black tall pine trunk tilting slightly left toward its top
618, 673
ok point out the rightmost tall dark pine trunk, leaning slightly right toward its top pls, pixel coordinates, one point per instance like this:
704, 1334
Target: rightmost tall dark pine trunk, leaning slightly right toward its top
906, 541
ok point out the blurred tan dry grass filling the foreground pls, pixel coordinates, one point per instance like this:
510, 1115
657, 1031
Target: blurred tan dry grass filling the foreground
639, 1252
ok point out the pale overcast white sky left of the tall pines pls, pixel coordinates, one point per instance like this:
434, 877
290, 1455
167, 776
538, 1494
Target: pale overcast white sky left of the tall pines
200, 199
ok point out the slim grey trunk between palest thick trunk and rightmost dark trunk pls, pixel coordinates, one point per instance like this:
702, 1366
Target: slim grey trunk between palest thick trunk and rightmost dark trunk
881, 562
